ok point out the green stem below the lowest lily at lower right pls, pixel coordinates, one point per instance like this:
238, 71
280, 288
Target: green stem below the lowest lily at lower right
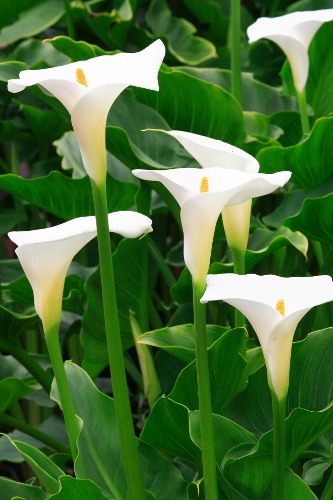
279, 419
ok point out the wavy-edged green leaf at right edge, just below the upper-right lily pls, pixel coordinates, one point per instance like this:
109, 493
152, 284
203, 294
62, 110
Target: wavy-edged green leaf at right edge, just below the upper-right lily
310, 161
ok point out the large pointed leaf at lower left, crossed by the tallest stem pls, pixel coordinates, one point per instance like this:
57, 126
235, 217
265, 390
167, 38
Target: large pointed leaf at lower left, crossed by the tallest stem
99, 456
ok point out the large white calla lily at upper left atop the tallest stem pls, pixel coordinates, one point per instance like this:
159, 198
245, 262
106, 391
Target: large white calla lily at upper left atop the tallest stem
89, 88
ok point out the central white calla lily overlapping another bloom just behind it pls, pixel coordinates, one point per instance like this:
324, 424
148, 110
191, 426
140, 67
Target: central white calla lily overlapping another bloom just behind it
202, 196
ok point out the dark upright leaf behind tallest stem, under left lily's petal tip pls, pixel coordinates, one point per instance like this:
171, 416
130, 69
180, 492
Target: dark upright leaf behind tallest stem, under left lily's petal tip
130, 267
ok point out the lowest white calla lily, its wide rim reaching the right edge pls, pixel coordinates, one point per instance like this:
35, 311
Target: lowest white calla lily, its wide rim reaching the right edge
274, 306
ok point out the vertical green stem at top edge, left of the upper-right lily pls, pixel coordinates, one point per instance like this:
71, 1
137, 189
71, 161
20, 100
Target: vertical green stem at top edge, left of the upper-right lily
235, 41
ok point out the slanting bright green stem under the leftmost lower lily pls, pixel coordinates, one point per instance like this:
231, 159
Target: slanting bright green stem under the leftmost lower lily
72, 426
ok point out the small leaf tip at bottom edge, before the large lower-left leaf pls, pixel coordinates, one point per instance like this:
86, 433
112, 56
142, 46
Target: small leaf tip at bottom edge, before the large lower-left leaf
77, 489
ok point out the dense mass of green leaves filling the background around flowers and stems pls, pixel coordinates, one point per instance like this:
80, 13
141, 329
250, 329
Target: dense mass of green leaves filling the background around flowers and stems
43, 182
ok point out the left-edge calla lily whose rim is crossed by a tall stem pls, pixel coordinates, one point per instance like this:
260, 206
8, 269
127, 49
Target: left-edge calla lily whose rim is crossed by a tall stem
45, 255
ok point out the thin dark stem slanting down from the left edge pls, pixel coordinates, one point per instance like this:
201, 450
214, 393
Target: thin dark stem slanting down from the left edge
41, 375
